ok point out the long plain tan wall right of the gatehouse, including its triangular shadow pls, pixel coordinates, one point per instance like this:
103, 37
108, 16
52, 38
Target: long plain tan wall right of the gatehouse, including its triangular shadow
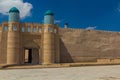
79, 45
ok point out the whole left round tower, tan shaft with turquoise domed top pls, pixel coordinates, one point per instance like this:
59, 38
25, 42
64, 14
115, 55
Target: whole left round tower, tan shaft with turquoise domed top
13, 38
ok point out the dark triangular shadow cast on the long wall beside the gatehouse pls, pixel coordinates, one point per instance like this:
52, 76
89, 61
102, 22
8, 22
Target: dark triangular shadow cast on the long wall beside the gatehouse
65, 56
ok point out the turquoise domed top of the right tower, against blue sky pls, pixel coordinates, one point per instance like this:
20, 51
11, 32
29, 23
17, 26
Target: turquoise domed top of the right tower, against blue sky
49, 17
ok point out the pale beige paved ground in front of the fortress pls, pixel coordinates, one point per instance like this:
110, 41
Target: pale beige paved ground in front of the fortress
71, 73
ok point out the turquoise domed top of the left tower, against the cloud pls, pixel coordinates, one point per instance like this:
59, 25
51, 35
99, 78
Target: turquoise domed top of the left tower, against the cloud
14, 15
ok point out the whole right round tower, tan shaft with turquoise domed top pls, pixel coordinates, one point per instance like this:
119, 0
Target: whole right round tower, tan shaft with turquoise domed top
48, 38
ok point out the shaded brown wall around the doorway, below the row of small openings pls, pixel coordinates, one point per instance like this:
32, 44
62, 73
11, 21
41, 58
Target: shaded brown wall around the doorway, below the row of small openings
31, 41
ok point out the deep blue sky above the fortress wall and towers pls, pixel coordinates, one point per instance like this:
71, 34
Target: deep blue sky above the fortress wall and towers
95, 14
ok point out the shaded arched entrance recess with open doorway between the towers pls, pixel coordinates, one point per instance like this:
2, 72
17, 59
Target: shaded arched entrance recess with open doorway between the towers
31, 53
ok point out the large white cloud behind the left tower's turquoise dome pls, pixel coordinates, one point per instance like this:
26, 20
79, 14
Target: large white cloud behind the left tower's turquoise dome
24, 7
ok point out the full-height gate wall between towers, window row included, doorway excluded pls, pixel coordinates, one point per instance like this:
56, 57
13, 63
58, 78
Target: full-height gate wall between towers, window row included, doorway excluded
31, 39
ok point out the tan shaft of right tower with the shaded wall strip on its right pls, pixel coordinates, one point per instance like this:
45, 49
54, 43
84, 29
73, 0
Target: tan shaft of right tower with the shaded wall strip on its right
50, 48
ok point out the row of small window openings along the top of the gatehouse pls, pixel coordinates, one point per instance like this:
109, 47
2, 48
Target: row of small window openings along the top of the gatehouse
29, 27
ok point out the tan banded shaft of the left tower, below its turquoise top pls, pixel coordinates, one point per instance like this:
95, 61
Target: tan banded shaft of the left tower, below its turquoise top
13, 43
